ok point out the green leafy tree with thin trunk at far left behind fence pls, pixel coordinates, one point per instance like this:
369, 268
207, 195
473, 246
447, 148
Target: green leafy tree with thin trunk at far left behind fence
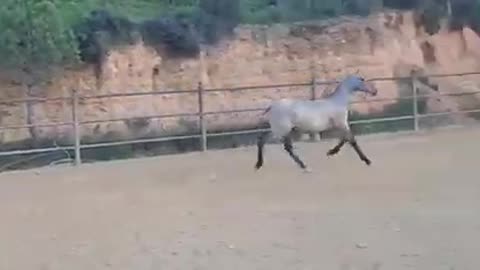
34, 40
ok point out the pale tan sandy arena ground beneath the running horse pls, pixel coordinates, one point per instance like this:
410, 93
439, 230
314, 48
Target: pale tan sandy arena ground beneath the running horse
417, 207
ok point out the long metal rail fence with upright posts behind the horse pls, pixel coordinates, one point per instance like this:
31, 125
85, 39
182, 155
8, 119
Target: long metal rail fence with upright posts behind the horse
204, 134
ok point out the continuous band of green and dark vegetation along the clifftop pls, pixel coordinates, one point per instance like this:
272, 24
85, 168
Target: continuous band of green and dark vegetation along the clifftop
56, 32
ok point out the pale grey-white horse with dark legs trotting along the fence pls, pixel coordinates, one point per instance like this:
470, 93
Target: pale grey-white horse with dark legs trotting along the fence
288, 116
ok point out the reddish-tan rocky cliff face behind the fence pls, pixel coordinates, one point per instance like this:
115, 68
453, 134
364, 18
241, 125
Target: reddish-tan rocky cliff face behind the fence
382, 45
